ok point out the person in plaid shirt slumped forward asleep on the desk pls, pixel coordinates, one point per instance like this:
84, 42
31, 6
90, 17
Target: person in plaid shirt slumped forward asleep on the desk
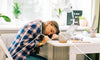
31, 37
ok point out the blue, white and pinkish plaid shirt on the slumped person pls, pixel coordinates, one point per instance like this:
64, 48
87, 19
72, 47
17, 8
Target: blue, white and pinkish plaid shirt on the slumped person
27, 34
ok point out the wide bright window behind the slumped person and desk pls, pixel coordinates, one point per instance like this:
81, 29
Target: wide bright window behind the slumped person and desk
46, 9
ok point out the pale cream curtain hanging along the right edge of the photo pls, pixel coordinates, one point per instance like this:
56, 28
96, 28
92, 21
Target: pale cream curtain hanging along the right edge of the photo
96, 21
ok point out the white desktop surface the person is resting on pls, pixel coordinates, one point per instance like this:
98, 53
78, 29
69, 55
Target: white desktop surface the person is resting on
86, 41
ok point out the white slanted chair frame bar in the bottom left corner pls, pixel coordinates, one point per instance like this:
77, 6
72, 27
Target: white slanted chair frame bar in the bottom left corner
5, 51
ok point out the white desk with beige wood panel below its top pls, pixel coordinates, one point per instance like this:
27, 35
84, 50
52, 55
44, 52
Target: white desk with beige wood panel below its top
69, 51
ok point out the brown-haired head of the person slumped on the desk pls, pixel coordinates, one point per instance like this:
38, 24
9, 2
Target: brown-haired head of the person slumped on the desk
51, 27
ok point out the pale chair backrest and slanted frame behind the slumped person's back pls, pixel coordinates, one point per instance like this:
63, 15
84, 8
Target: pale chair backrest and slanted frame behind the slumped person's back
5, 41
